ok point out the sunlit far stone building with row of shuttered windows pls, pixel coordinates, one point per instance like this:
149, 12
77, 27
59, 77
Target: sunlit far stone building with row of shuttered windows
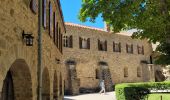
92, 54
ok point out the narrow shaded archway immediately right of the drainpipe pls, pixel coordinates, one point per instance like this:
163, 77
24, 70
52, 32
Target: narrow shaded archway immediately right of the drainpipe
45, 85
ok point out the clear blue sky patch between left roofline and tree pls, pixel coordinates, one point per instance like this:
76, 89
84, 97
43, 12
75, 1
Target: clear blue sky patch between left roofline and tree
71, 9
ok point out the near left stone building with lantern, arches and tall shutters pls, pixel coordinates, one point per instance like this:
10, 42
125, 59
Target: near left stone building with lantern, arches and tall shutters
19, 50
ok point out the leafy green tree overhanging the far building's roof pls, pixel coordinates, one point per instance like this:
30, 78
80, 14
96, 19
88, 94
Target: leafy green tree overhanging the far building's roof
151, 18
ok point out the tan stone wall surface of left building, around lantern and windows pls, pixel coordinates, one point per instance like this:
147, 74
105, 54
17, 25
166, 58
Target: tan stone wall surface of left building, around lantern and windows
16, 17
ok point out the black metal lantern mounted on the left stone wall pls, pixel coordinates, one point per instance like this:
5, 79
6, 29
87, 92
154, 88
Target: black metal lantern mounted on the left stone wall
27, 38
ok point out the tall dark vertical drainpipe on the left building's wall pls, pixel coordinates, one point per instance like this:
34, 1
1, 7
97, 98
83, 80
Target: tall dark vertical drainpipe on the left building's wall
39, 71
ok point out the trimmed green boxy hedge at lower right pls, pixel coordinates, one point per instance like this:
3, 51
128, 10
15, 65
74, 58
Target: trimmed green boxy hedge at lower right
138, 91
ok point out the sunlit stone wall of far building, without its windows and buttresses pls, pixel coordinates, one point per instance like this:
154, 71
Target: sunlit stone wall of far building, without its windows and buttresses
87, 59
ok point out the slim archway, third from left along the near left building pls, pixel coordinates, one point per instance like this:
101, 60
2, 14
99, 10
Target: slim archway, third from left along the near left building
55, 86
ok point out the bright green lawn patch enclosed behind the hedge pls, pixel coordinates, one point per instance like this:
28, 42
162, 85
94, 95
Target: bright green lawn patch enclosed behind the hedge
158, 96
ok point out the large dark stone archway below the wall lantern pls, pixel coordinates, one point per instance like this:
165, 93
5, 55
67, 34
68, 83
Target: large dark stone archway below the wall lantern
18, 83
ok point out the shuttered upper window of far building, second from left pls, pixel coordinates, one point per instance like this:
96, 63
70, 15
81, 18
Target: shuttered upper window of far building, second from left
84, 43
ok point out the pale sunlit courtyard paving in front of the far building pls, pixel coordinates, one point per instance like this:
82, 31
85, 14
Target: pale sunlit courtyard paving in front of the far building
93, 96
